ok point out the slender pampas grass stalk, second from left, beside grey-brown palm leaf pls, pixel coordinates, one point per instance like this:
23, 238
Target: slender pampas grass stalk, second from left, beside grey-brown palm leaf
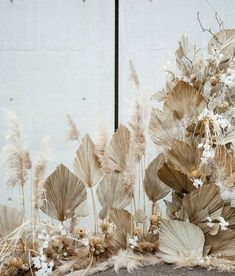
38, 178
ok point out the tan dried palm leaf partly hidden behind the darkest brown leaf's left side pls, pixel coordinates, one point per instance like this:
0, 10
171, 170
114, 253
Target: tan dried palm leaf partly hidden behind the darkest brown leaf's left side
154, 187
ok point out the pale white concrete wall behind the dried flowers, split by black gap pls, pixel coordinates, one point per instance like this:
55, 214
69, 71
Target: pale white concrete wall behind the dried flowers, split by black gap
56, 57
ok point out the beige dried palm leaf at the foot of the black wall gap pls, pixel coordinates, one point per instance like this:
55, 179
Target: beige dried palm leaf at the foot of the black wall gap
119, 147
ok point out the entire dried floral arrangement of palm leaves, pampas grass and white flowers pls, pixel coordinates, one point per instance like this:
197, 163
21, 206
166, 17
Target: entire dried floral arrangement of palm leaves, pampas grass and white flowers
196, 169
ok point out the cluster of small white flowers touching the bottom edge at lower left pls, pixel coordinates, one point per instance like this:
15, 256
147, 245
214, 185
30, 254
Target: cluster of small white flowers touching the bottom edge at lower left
40, 262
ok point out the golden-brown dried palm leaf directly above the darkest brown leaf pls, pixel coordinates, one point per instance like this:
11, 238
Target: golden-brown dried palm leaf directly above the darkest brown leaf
184, 157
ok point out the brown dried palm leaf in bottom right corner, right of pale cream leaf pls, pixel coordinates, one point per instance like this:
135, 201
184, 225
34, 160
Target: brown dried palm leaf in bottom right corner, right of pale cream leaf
222, 244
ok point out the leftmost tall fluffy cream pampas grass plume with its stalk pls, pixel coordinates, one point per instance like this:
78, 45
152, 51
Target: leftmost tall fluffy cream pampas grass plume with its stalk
15, 156
